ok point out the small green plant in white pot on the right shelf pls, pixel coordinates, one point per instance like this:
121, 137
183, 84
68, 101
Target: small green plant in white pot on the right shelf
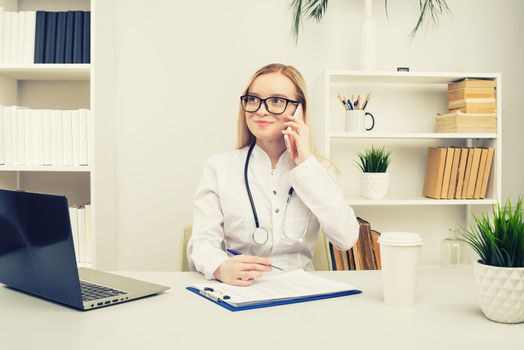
374, 165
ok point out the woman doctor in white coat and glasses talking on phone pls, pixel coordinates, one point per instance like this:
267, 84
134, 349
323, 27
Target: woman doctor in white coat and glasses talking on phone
260, 199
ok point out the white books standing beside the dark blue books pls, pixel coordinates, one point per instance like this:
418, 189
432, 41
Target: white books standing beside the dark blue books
17, 35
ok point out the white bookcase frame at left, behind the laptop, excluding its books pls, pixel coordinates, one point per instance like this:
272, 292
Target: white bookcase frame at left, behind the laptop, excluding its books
54, 87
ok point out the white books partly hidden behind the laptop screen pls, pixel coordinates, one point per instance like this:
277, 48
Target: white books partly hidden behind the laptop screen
81, 229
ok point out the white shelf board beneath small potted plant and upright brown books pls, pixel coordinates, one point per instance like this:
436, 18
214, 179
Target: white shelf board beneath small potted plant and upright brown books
415, 201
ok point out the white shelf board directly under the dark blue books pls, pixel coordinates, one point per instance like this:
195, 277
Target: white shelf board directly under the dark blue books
46, 71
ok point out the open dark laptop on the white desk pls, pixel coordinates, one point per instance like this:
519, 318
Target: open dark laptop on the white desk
37, 256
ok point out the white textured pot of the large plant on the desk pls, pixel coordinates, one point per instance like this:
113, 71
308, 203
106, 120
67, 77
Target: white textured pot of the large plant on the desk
500, 292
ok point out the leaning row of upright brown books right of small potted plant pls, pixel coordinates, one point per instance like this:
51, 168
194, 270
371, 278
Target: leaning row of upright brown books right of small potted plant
458, 172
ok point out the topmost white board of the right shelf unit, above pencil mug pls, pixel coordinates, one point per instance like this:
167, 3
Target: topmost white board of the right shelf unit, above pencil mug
386, 77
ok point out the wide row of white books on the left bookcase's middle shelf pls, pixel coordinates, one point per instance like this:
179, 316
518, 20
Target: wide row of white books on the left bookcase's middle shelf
34, 137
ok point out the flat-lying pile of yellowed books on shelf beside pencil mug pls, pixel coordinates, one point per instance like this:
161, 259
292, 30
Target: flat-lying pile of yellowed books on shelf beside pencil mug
472, 107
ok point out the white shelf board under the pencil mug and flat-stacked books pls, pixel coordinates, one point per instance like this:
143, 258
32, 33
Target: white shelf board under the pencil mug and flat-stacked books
392, 135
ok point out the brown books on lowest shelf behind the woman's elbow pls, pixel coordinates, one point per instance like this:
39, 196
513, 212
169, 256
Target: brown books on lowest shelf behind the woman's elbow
365, 254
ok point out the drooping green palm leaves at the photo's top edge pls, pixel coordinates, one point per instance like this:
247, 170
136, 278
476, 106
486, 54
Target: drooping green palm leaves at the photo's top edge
315, 9
